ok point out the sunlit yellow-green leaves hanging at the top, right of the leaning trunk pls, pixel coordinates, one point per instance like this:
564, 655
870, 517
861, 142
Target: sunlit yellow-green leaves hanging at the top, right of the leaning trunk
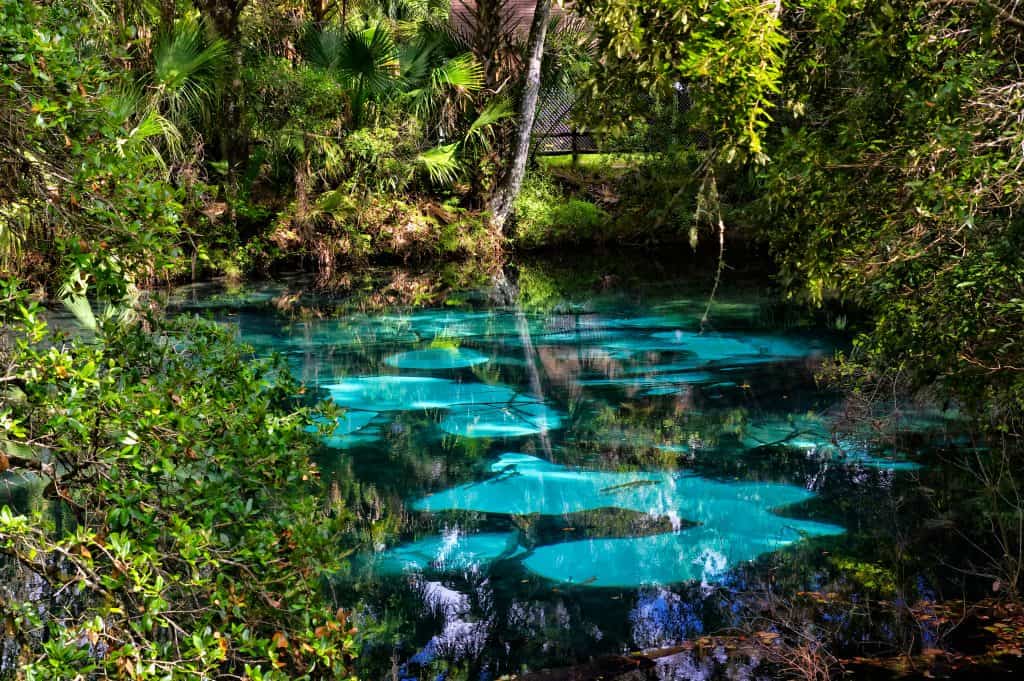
731, 54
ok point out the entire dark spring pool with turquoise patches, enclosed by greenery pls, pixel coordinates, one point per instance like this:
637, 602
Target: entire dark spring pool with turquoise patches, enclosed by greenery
569, 460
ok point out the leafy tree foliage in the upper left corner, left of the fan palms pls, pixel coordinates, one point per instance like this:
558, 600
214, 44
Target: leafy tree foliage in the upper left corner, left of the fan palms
84, 164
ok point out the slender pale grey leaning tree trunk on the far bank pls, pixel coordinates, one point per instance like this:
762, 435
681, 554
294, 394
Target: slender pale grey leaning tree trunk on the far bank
504, 199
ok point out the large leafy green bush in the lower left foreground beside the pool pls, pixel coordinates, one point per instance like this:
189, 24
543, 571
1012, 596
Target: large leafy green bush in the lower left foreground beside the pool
183, 536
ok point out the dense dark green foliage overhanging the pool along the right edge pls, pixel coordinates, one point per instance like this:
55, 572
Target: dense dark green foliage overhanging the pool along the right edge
895, 185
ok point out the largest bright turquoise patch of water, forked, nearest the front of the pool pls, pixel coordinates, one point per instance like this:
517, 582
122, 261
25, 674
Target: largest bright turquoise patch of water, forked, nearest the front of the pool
737, 520
